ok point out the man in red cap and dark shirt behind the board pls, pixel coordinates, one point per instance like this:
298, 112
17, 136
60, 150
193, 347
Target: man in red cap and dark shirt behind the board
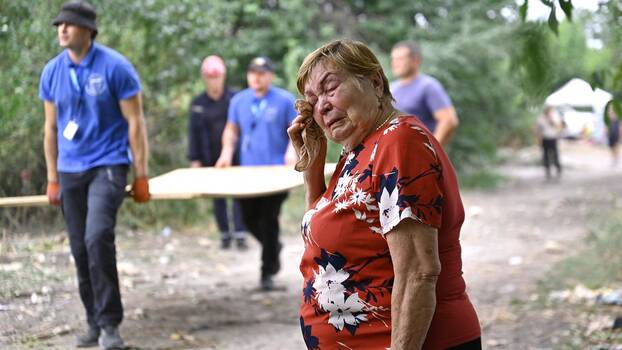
208, 116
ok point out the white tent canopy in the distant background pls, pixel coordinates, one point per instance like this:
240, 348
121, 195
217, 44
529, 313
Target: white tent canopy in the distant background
579, 93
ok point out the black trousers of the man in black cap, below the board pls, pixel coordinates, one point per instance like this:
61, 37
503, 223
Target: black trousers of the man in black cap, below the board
261, 217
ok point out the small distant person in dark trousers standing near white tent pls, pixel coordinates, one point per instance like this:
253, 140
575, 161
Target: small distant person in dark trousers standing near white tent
548, 130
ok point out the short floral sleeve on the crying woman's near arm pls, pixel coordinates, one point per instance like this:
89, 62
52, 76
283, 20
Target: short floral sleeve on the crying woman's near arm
408, 176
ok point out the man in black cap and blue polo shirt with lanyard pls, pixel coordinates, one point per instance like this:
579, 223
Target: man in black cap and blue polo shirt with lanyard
258, 119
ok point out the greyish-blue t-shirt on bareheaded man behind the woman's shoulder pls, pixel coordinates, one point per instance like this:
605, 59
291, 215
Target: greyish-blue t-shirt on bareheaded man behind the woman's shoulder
421, 97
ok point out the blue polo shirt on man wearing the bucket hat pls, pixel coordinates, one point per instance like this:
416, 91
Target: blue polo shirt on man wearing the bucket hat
90, 98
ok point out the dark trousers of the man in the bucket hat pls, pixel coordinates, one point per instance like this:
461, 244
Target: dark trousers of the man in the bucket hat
90, 201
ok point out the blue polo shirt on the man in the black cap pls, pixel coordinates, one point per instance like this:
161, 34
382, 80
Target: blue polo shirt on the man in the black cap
263, 124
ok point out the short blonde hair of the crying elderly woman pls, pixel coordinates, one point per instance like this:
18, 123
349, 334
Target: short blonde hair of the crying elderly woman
351, 56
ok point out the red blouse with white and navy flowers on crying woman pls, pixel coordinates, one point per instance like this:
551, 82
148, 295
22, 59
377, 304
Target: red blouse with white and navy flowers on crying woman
398, 172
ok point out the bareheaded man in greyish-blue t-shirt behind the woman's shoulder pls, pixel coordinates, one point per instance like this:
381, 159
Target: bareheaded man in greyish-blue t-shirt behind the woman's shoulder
421, 95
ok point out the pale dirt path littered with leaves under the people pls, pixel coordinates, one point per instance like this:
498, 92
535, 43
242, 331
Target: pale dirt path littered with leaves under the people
182, 292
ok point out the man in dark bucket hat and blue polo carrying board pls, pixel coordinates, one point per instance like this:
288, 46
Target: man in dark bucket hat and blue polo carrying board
94, 128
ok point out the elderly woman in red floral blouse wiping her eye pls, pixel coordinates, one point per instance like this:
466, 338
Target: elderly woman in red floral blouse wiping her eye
381, 265
